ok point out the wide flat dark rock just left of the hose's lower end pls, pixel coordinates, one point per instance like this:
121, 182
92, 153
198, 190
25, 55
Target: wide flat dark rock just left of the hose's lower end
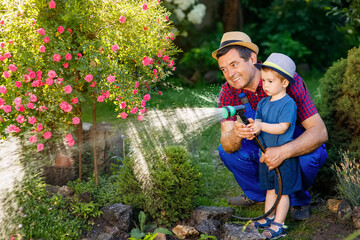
222, 214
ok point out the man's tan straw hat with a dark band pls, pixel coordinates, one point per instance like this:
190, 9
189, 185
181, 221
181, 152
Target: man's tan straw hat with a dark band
236, 38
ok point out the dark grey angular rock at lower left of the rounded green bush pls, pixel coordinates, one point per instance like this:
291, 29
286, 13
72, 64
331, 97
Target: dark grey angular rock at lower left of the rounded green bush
118, 215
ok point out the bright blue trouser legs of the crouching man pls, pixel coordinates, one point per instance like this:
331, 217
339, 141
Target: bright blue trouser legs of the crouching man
244, 164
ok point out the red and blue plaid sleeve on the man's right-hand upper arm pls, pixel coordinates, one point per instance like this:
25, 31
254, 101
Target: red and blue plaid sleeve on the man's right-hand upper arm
305, 105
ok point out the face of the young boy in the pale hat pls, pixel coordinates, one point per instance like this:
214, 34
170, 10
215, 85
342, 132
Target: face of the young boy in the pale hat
272, 84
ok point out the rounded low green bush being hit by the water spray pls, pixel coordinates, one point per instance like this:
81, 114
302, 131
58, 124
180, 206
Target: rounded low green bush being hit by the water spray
173, 188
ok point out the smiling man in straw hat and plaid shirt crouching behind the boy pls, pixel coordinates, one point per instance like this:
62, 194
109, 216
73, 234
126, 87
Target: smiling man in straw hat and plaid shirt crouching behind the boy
237, 59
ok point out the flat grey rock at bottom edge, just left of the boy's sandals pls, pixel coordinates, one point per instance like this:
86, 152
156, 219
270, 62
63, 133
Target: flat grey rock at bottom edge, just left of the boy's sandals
234, 231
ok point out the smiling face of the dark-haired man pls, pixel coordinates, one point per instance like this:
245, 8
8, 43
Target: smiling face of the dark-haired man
237, 72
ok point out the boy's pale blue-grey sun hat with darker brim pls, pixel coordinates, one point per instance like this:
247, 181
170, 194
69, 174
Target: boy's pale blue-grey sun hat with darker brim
281, 64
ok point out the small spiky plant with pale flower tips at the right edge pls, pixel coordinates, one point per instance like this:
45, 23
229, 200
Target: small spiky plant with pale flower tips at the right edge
348, 175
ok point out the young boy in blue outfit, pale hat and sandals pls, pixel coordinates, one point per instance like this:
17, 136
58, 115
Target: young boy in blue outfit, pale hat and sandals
275, 122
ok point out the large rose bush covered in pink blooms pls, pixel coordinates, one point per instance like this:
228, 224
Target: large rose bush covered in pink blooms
55, 55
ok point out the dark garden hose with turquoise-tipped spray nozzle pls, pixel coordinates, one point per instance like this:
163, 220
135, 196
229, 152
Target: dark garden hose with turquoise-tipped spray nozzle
230, 111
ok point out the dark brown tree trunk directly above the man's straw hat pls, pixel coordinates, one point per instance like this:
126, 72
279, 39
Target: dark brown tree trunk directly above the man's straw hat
232, 17
